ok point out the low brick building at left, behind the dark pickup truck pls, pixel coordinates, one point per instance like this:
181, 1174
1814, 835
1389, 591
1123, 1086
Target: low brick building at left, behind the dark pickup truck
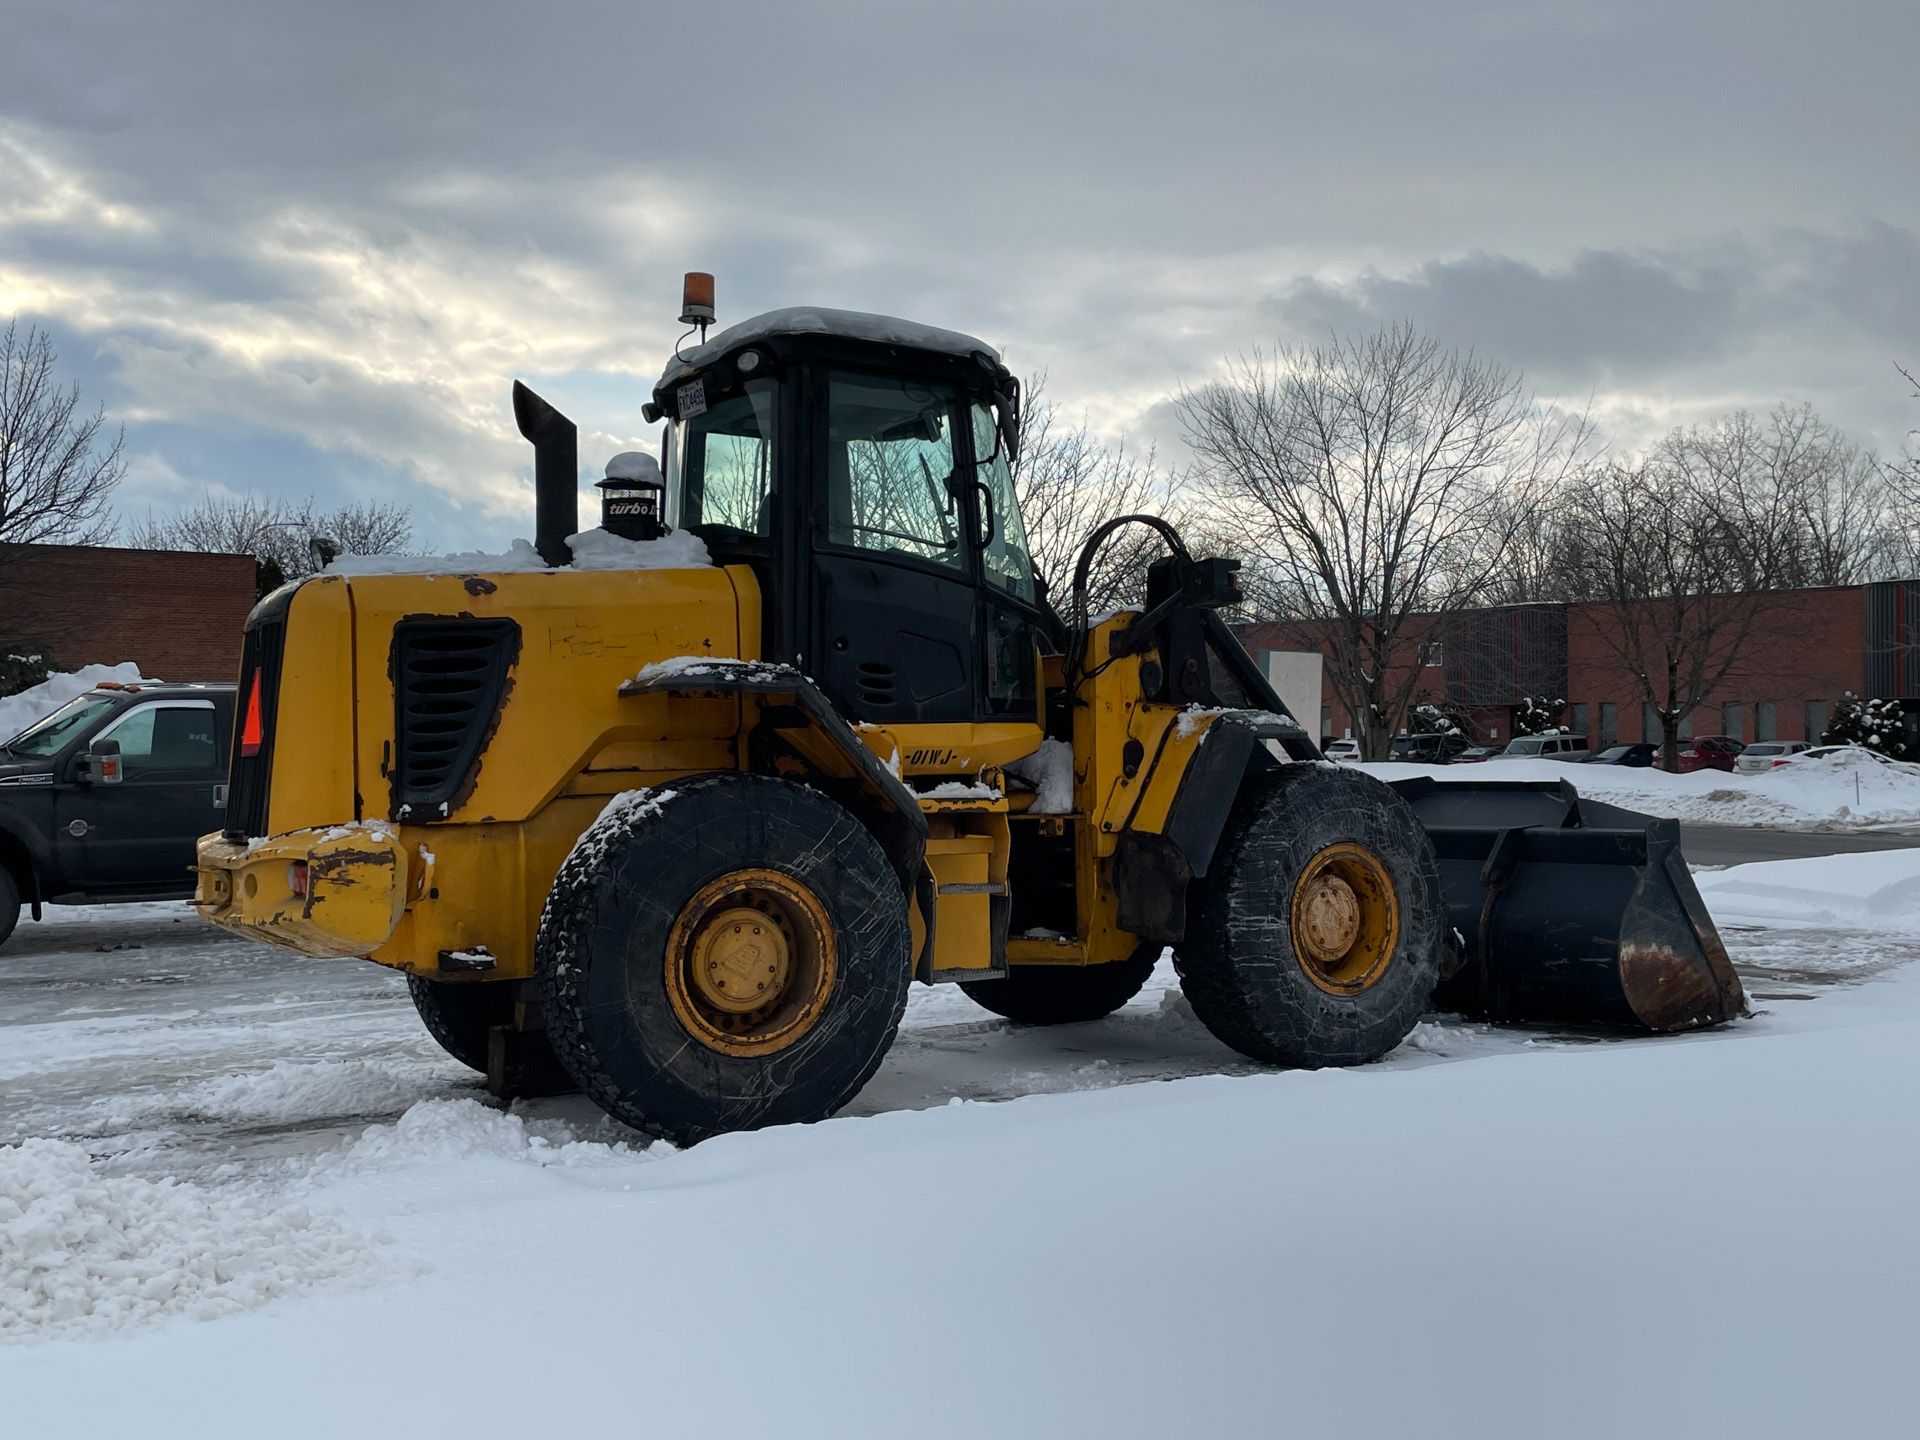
176, 615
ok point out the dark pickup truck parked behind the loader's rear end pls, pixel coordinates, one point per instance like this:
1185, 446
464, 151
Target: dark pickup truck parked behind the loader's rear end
103, 800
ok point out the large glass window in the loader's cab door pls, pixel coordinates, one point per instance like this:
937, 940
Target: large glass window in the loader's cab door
892, 469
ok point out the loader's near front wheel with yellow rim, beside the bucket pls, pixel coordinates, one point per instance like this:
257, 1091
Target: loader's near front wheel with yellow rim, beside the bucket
1316, 936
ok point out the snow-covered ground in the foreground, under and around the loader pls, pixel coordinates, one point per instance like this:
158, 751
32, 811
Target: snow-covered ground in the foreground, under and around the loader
254, 1199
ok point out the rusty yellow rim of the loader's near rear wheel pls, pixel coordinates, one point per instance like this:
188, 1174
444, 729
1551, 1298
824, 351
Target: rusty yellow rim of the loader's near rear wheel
750, 963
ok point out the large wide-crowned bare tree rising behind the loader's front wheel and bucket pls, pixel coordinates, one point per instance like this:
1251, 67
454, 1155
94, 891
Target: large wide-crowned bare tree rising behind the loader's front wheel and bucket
1368, 483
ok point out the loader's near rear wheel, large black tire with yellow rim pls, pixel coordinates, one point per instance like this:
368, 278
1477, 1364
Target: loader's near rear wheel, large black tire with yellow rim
725, 955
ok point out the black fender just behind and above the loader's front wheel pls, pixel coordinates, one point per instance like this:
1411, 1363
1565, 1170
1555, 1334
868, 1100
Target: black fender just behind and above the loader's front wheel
1153, 871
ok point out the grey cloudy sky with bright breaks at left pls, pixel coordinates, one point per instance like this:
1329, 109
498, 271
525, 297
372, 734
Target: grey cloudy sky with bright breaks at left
304, 249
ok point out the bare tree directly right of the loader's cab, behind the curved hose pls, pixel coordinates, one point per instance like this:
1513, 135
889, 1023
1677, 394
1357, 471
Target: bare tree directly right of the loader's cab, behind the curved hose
1068, 483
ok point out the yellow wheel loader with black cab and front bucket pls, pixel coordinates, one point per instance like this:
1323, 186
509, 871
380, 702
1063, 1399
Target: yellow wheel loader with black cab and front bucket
675, 811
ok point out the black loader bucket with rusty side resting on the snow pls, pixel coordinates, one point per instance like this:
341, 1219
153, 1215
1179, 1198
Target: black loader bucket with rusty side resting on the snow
1572, 911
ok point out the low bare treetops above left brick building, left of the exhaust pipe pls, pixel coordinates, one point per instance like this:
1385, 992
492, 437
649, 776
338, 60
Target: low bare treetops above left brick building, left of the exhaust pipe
277, 533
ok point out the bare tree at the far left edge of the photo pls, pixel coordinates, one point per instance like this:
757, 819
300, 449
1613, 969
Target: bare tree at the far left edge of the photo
59, 468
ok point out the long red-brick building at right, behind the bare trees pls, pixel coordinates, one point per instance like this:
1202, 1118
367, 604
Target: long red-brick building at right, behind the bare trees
1812, 648
